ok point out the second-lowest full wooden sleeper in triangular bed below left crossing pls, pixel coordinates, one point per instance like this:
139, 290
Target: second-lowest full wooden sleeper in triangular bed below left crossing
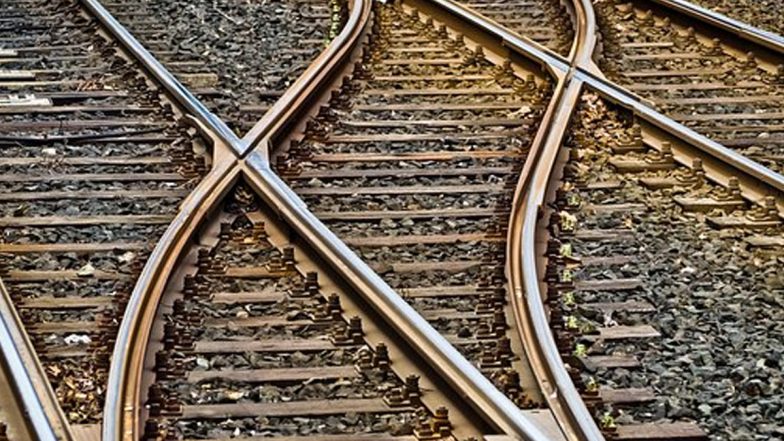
276, 375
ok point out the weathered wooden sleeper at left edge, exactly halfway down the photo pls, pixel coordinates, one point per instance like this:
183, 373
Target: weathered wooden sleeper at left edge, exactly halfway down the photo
59, 221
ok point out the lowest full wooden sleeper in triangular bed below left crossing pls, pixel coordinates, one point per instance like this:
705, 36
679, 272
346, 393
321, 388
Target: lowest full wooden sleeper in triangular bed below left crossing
308, 408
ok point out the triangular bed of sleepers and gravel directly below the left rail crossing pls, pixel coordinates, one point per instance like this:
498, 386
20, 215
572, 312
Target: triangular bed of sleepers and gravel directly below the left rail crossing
262, 340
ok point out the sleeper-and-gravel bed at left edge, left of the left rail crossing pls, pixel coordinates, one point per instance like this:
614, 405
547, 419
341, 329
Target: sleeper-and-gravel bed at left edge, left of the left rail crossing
94, 165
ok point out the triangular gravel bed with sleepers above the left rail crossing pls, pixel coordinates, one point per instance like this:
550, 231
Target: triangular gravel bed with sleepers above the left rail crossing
237, 68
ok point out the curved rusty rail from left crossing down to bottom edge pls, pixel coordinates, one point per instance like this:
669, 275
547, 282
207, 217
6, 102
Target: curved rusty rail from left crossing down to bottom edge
123, 390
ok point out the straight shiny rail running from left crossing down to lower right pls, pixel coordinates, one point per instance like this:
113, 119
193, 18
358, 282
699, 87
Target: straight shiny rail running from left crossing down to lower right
476, 389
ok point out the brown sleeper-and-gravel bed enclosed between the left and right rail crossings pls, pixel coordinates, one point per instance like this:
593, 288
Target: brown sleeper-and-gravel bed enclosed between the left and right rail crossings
413, 164
